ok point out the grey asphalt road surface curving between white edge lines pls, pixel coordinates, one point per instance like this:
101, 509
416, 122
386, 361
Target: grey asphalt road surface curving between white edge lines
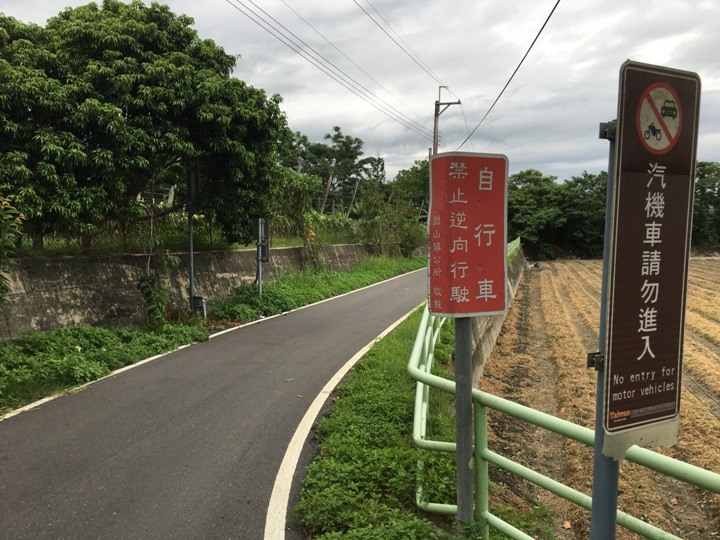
186, 446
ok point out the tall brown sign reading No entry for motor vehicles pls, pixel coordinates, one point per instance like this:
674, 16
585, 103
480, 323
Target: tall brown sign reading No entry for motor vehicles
650, 244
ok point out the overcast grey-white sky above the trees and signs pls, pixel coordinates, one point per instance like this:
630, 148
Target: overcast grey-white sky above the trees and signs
548, 117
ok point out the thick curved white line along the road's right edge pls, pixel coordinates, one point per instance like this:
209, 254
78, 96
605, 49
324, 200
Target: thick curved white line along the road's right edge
276, 517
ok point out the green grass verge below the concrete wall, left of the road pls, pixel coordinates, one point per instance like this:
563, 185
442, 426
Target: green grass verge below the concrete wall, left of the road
40, 364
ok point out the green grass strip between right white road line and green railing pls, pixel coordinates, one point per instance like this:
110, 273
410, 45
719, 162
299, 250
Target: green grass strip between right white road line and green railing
362, 485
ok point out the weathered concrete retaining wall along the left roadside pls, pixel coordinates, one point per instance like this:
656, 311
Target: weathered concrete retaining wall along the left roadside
53, 292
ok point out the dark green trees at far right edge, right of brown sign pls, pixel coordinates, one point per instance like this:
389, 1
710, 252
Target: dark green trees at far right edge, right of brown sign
706, 211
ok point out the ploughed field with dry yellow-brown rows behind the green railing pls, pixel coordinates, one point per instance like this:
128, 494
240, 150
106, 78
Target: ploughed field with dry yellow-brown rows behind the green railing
539, 361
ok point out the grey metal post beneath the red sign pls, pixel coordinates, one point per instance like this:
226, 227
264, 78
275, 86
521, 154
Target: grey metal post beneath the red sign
464, 418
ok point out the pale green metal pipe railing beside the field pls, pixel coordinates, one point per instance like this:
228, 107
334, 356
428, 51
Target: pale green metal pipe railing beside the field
420, 369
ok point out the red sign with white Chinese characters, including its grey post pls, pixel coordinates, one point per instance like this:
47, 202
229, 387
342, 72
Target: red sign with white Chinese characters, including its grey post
467, 268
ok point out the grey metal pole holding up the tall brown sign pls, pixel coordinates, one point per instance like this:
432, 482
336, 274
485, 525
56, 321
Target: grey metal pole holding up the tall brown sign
606, 469
